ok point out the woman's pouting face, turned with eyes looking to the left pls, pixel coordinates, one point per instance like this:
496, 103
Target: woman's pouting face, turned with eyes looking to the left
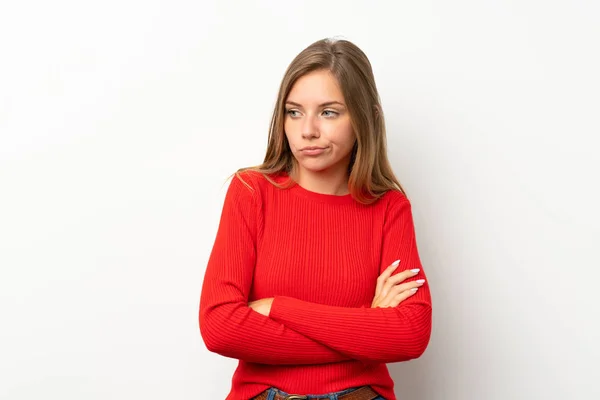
317, 123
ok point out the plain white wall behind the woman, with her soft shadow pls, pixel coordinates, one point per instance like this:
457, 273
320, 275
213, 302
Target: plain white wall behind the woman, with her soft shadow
120, 121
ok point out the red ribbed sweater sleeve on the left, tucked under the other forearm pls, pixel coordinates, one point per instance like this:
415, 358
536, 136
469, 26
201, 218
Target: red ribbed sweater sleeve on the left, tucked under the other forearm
227, 325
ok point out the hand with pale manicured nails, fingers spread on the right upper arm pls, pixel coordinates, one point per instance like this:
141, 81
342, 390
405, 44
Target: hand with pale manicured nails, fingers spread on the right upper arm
390, 291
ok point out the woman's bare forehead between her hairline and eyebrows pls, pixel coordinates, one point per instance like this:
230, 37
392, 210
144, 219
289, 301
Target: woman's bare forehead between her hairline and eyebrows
316, 87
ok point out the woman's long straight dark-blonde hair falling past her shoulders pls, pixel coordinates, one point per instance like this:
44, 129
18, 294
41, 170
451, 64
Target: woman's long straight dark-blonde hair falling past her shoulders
370, 173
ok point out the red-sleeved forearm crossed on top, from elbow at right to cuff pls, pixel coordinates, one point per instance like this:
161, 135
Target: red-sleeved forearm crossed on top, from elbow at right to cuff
367, 334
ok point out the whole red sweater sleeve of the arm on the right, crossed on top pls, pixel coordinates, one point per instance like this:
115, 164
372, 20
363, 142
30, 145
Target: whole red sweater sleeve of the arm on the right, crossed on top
385, 335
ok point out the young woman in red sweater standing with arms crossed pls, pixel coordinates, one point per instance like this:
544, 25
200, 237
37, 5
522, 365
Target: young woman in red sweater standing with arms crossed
314, 281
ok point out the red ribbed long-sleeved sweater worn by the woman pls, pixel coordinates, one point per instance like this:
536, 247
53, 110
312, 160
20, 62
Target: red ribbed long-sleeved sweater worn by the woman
319, 257
